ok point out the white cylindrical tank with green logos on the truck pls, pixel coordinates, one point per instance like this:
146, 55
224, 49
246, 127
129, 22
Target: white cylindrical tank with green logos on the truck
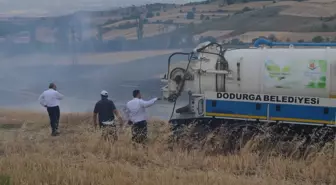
282, 71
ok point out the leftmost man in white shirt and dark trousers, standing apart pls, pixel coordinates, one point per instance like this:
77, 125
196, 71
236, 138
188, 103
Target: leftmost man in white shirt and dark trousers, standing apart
50, 99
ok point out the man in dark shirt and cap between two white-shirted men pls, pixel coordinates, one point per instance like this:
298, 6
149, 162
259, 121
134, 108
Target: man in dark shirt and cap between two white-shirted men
106, 111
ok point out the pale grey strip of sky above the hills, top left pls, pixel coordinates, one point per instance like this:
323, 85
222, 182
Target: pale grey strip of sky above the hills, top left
57, 7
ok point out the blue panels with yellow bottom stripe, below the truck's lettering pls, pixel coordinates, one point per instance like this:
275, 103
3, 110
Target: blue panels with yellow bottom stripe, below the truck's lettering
283, 112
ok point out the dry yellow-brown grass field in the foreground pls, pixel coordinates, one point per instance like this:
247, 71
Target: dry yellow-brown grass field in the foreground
28, 155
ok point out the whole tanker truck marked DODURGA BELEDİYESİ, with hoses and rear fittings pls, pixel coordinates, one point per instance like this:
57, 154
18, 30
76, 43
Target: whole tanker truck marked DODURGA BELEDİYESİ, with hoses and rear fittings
285, 86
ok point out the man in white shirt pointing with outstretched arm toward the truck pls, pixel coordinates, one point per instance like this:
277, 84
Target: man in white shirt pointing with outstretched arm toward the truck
136, 112
